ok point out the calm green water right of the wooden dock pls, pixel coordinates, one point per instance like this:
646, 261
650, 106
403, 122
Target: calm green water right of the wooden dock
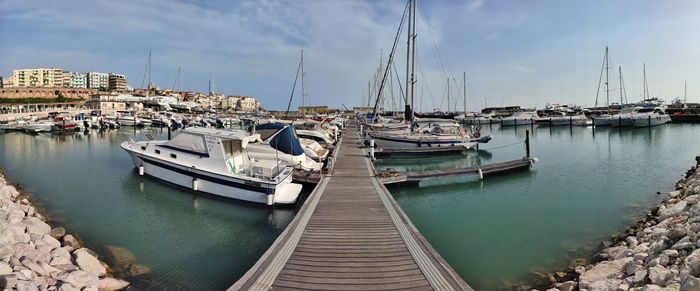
586, 186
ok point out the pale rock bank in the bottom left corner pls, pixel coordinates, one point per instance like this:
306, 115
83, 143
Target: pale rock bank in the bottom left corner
34, 256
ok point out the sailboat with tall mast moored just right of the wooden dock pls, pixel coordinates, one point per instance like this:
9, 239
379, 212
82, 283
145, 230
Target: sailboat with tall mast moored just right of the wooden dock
435, 137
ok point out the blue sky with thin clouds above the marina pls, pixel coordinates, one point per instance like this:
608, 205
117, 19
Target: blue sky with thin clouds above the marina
526, 53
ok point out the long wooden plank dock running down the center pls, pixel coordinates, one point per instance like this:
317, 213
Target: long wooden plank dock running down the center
350, 234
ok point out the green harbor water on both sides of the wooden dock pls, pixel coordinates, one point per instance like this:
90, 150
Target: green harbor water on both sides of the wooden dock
496, 233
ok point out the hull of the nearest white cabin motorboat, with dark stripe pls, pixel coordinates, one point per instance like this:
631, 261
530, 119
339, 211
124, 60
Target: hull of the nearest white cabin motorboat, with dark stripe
283, 192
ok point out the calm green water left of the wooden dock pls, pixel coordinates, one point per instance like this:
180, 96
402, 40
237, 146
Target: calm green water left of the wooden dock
86, 183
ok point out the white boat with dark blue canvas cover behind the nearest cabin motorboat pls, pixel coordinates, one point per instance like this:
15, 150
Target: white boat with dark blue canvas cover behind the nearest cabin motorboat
279, 142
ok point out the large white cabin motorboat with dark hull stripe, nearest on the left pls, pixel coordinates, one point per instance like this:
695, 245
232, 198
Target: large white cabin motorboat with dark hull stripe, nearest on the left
215, 162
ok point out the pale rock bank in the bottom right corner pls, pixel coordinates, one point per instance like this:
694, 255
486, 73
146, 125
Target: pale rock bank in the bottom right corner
661, 252
